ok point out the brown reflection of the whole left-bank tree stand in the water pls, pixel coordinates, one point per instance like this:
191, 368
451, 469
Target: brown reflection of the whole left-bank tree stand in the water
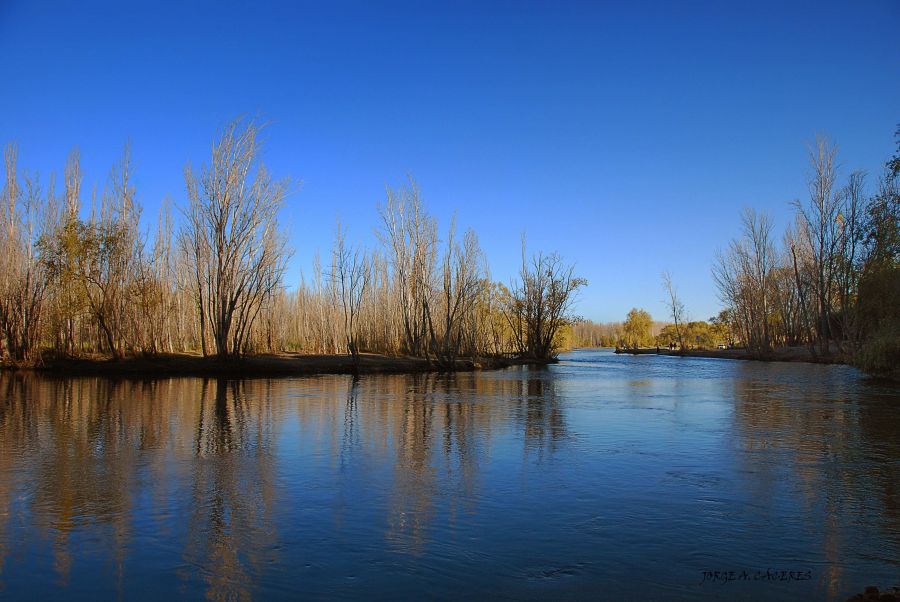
195, 461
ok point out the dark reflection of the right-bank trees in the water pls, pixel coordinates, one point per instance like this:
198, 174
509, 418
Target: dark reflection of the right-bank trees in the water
839, 449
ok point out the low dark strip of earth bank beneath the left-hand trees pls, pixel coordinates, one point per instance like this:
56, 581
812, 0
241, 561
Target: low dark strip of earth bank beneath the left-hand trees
281, 364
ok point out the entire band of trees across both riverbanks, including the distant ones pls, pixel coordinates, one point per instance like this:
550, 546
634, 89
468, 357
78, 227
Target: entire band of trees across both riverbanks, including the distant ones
209, 277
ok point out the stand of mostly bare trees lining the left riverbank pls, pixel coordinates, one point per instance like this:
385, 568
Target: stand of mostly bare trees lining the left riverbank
211, 277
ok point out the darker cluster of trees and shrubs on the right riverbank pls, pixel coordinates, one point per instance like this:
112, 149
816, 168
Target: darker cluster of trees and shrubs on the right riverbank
831, 282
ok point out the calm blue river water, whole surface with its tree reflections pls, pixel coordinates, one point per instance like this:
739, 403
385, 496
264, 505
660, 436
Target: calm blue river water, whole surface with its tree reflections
602, 477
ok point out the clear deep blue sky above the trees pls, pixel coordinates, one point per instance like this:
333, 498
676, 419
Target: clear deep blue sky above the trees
625, 135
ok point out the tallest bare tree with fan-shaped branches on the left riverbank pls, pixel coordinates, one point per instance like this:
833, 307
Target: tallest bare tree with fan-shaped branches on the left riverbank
231, 237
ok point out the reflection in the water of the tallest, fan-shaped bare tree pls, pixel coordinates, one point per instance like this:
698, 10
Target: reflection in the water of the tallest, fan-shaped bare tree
232, 532
